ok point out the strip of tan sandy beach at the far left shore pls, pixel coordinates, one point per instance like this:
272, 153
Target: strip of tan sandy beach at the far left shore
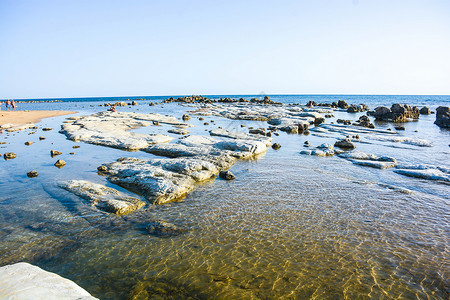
29, 116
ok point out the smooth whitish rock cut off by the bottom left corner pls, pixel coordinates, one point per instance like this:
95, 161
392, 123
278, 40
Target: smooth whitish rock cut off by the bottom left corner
25, 281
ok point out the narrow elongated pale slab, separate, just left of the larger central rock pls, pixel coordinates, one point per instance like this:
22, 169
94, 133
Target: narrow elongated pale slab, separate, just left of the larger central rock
104, 198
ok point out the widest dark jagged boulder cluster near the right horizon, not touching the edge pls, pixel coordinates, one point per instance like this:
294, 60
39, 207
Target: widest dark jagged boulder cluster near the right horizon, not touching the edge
397, 113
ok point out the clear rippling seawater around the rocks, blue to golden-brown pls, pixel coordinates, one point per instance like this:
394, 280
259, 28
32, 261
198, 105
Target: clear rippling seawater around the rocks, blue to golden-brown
289, 226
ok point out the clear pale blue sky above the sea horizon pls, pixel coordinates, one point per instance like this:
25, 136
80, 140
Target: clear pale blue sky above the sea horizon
168, 47
